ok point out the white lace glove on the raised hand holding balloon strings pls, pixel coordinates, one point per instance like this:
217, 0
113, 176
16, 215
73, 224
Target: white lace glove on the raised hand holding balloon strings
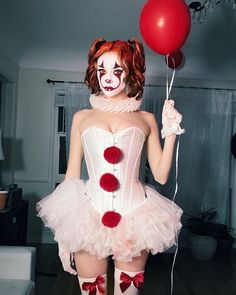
171, 119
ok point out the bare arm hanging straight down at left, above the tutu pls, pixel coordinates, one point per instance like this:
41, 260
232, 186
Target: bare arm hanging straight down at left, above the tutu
76, 149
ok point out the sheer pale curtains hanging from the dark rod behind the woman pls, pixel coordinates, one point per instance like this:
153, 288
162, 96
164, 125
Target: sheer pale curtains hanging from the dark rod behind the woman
204, 155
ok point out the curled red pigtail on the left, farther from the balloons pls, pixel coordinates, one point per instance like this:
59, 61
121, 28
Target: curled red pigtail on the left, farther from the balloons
90, 76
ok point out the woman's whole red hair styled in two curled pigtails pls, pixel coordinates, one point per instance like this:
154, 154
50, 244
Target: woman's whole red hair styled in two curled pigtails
132, 59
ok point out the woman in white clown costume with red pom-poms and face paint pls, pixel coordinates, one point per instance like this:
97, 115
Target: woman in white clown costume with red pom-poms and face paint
113, 213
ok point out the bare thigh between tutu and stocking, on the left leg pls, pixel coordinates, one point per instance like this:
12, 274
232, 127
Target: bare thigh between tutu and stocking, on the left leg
88, 266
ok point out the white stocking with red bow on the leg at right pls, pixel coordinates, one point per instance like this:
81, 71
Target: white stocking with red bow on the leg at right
127, 283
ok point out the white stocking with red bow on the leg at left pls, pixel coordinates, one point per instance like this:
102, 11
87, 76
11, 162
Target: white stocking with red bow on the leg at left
89, 284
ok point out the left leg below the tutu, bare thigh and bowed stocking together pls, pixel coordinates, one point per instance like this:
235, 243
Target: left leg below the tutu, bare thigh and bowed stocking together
91, 273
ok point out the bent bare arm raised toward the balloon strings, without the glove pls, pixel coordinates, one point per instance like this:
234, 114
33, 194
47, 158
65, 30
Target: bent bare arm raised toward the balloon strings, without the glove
160, 161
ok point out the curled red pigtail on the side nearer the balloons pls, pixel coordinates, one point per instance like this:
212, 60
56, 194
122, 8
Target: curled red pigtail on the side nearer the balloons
137, 78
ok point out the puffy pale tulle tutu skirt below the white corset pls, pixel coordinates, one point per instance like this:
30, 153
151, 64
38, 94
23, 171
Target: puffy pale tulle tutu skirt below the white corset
153, 225
